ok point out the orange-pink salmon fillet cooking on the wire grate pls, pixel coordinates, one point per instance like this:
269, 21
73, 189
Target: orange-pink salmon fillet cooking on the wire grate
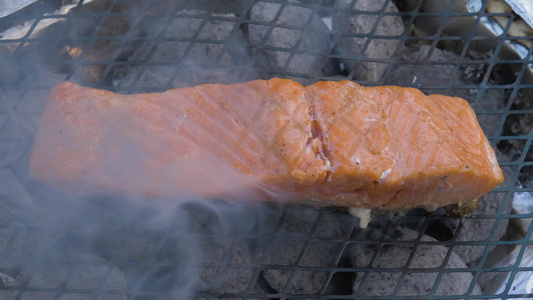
334, 143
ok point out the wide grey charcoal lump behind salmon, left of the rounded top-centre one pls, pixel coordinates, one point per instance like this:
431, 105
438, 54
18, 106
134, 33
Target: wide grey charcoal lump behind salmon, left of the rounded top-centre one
173, 64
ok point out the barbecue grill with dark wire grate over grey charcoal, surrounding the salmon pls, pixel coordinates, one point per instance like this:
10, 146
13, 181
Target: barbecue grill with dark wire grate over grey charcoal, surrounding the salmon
55, 247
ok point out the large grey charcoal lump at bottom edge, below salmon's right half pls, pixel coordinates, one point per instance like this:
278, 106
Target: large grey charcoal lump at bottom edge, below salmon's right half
381, 283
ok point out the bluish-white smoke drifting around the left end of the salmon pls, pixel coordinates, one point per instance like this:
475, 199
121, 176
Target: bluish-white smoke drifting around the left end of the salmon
76, 245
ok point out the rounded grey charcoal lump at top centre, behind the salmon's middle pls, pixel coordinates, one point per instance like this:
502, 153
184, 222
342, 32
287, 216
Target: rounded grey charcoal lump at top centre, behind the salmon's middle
314, 43
